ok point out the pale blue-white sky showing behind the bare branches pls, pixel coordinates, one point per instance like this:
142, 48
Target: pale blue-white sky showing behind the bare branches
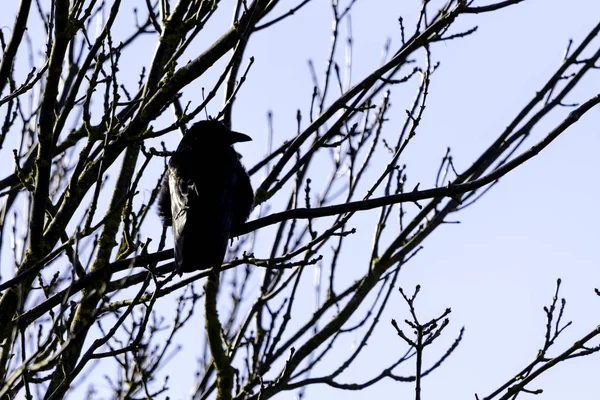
496, 269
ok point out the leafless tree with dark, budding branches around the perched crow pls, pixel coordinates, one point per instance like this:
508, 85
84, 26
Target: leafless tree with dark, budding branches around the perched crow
86, 285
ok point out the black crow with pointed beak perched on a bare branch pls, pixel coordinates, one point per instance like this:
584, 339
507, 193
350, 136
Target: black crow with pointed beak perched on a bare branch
206, 195
